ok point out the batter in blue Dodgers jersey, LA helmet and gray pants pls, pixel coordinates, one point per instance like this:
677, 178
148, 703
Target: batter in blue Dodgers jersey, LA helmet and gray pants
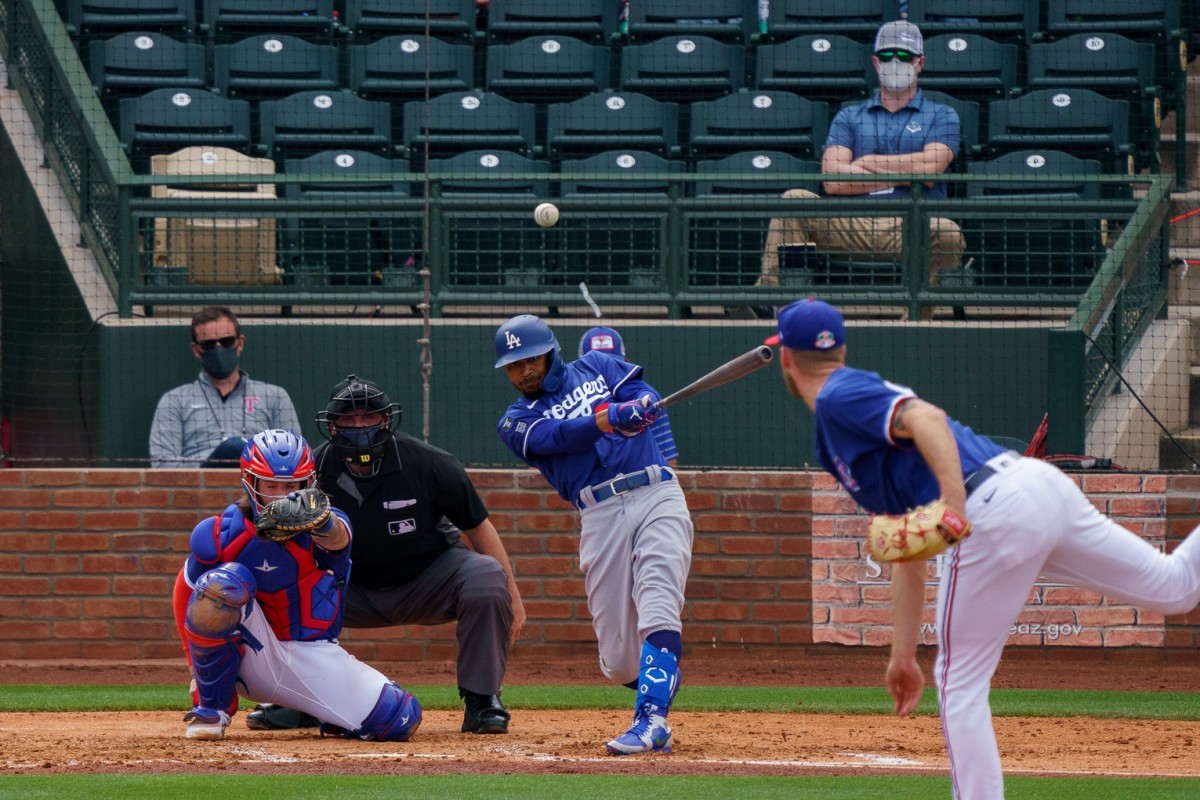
585, 426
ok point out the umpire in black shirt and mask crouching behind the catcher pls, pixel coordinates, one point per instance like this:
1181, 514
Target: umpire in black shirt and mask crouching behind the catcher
407, 503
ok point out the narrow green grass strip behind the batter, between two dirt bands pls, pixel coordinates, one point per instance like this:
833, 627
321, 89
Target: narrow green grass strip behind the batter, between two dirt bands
1012, 702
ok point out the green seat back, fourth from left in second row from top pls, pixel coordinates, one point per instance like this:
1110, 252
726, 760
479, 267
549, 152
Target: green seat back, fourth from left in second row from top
548, 69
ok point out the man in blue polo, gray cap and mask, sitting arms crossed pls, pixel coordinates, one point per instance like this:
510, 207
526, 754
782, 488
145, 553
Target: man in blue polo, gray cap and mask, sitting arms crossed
897, 131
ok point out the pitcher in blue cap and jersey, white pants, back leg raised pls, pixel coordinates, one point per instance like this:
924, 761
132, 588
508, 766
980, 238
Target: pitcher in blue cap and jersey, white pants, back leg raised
1007, 520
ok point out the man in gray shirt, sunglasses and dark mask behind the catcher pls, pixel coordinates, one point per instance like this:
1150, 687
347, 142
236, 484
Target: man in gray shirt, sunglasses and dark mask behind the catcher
208, 422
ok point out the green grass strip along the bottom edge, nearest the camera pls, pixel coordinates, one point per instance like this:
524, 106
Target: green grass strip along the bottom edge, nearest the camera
574, 787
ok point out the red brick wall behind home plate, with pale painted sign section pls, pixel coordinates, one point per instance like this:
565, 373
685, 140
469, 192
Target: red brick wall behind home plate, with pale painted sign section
88, 560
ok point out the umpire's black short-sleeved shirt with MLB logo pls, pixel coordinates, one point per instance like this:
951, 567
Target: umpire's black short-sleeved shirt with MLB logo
397, 514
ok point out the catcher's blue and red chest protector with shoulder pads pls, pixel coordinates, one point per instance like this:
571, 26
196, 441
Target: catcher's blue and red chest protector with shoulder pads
301, 586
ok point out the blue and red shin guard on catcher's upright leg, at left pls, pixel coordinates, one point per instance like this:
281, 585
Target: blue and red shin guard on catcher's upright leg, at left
215, 635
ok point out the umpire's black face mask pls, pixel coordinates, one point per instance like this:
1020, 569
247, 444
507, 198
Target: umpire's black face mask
359, 448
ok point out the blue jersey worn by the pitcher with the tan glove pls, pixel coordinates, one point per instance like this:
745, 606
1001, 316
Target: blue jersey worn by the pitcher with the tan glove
854, 443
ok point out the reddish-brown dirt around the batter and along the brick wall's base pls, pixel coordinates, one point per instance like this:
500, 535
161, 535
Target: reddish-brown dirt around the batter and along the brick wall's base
561, 742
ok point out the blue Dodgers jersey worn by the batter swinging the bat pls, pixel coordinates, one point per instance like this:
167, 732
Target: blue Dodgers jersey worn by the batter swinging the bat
556, 432
